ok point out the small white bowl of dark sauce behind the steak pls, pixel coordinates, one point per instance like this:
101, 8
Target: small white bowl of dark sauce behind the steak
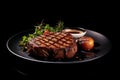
76, 32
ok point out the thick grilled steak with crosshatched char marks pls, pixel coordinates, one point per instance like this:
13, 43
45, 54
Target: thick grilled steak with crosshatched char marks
54, 45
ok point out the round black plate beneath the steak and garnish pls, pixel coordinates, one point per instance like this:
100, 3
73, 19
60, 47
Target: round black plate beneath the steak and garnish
102, 46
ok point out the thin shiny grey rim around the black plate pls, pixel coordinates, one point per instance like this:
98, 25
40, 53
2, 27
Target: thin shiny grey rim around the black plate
54, 62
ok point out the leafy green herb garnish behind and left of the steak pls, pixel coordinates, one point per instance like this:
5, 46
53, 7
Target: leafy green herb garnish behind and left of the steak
40, 30
